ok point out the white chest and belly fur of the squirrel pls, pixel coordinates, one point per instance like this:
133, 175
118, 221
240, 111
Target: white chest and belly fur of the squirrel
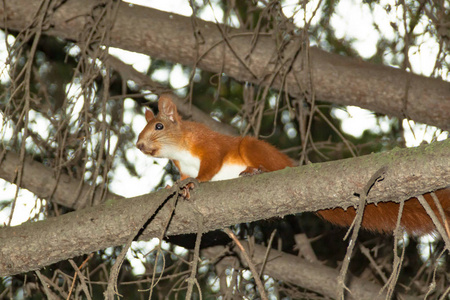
190, 165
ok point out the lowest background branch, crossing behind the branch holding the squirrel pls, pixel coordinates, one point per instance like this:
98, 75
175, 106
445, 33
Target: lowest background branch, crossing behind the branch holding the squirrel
301, 275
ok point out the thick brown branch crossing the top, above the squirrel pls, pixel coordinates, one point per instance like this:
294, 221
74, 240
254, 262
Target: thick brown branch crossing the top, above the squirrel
170, 37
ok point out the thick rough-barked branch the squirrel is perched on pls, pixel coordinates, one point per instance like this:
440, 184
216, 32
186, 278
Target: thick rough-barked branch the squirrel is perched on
309, 188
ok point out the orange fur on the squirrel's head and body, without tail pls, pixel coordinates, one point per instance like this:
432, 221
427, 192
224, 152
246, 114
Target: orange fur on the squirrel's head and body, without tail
212, 148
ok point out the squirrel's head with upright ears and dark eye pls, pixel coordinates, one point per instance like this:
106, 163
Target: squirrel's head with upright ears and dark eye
161, 132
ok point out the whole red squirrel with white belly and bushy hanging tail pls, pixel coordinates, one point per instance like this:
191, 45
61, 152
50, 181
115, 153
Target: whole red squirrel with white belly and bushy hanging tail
206, 155
